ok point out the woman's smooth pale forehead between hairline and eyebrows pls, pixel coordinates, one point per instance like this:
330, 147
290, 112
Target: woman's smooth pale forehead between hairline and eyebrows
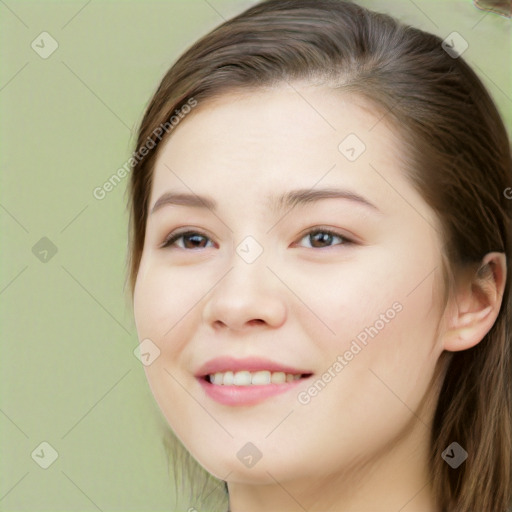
265, 141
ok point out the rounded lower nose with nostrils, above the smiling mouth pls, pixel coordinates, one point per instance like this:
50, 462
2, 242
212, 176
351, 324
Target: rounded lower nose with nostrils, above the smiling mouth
248, 296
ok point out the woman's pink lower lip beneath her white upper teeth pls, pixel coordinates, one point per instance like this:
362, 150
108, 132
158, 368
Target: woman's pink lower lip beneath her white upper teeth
246, 395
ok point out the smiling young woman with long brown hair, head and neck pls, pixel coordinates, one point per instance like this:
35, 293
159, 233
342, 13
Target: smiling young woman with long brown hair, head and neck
320, 230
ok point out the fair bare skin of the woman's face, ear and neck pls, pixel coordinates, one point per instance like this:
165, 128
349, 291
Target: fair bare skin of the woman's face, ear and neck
362, 443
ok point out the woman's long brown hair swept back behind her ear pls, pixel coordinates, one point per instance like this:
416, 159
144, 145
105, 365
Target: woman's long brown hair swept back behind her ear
459, 160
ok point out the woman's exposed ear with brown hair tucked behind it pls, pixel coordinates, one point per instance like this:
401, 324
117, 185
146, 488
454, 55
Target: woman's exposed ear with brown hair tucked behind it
476, 304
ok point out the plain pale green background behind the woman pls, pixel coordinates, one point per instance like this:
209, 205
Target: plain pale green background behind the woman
67, 369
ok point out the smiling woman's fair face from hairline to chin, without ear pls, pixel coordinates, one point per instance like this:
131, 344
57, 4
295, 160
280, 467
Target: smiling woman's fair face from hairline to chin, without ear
338, 288
